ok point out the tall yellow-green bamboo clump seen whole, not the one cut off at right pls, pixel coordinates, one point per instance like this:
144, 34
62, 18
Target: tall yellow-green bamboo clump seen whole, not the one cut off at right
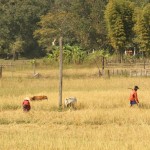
119, 20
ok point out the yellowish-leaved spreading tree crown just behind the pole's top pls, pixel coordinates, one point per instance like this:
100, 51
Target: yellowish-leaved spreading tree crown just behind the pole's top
52, 26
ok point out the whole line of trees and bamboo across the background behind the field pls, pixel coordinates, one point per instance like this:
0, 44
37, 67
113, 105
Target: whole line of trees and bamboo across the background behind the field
32, 27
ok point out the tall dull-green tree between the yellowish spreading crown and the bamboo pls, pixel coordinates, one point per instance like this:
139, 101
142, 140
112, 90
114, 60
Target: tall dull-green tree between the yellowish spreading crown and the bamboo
88, 28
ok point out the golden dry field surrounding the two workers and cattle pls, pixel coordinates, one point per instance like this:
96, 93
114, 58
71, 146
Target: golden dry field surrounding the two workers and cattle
103, 119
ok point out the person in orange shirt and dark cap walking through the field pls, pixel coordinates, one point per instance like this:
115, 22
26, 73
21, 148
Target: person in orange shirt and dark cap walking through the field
134, 97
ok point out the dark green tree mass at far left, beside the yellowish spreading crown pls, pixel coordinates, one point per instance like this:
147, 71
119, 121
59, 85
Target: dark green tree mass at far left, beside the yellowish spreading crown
18, 20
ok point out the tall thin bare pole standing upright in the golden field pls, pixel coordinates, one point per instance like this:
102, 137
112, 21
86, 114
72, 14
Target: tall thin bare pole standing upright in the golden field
60, 72
